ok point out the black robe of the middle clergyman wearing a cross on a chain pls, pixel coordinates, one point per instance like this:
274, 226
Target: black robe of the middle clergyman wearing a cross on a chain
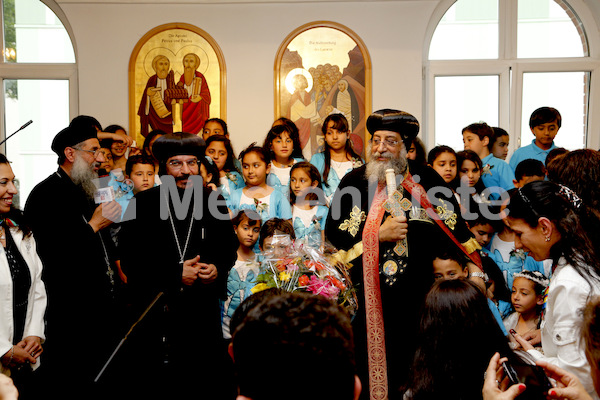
179, 346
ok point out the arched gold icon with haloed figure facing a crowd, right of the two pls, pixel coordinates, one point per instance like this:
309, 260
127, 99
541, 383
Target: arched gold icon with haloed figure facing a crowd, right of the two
323, 68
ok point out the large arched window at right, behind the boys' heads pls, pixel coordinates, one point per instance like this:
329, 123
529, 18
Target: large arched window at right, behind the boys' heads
499, 60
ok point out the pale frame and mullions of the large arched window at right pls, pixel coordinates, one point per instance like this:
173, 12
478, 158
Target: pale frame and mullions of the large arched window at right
511, 70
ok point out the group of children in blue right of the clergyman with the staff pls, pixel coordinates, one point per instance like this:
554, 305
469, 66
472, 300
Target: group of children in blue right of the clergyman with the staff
515, 281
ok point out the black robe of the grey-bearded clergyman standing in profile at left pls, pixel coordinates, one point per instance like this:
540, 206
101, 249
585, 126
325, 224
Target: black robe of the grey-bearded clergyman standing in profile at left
82, 323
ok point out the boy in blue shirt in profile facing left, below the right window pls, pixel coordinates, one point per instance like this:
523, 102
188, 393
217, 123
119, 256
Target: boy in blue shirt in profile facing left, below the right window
496, 173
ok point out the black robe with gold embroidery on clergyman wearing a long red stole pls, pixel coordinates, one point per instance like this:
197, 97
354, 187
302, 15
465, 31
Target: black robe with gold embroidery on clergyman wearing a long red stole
401, 300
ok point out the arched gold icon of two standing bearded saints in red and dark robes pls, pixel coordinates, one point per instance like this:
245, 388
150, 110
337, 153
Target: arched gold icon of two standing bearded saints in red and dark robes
176, 81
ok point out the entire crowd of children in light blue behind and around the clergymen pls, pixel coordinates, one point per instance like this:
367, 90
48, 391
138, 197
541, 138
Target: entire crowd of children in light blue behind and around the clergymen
272, 189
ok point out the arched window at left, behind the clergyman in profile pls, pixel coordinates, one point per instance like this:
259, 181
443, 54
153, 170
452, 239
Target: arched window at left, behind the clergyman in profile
38, 76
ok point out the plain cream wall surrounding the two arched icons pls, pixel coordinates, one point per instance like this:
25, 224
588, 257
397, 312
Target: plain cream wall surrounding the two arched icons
249, 36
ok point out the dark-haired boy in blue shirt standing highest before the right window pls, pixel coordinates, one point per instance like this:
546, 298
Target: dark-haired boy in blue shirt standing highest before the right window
544, 124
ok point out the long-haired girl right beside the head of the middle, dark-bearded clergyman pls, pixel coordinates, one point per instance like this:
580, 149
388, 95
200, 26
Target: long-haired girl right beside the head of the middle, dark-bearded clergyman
218, 147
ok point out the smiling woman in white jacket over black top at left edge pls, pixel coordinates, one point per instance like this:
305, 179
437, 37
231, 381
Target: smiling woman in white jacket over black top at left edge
23, 300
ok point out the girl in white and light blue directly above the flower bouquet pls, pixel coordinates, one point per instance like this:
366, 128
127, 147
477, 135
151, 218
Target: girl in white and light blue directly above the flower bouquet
305, 192
